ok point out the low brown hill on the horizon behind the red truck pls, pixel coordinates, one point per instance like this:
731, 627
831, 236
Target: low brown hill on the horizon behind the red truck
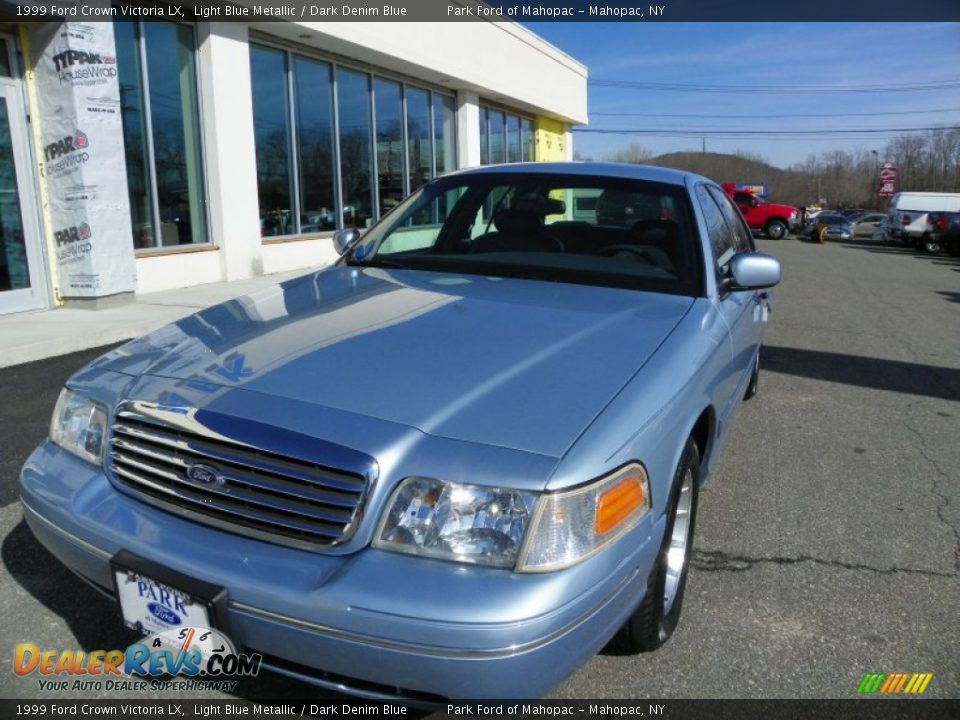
787, 186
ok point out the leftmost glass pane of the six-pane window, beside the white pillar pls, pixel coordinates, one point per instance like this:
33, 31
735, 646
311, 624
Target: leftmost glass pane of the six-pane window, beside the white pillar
271, 129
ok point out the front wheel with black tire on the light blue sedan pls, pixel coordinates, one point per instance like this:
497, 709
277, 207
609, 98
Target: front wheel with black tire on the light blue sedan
655, 619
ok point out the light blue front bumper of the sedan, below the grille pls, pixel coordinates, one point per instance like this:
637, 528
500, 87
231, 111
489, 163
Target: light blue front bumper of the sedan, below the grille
375, 624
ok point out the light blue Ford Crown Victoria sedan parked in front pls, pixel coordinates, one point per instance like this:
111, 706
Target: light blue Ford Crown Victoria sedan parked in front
456, 464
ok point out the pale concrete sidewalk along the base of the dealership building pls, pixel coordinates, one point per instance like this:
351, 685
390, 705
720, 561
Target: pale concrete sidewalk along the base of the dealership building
29, 336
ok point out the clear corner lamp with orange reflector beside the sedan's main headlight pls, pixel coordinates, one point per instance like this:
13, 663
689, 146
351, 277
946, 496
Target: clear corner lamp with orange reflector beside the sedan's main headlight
573, 525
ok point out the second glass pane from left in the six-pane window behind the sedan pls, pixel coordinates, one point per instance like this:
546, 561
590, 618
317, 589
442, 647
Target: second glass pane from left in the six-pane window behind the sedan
314, 101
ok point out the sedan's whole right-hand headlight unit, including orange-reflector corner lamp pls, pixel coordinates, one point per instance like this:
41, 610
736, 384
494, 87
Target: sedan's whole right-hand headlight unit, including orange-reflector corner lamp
509, 528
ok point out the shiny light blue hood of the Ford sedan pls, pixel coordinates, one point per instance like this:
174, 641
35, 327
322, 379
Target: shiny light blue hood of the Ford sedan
515, 363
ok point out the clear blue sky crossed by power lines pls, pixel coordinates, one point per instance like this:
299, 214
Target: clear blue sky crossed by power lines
798, 57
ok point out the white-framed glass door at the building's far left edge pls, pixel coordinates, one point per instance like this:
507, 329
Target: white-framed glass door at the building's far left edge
22, 278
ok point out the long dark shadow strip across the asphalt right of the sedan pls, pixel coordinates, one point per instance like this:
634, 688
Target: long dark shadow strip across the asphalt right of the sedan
875, 373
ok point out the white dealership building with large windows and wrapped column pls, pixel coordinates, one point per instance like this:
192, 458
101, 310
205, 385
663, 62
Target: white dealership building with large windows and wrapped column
138, 156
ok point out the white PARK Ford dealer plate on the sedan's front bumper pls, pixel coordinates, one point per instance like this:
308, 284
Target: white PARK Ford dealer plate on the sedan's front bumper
154, 607
